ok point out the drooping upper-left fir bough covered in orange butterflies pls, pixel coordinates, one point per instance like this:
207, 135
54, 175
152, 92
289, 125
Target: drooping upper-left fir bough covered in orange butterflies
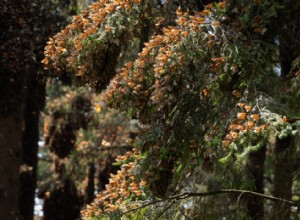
91, 44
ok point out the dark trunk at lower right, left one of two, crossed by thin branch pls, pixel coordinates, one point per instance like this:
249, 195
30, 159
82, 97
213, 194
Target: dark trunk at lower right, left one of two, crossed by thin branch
255, 166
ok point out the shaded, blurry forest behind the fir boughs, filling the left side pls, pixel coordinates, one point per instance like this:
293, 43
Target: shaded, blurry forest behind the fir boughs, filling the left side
69, 139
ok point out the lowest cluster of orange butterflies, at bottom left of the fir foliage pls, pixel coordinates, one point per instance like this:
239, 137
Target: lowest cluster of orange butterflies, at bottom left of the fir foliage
122, 186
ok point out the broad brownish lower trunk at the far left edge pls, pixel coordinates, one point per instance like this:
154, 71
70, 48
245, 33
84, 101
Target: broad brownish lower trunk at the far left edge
10, 157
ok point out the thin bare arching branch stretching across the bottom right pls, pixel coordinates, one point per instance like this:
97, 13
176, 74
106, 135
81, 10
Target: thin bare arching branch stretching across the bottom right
224, 191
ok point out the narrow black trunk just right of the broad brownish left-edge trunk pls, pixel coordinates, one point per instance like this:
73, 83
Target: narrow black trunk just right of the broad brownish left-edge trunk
30, 138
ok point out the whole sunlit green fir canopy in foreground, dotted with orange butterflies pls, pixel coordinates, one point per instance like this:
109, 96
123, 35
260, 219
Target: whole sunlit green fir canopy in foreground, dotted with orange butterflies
207, 86
